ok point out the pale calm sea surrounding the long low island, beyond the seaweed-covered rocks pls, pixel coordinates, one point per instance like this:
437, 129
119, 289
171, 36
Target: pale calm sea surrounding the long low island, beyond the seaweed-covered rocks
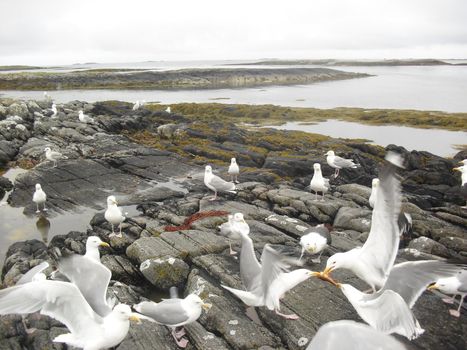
442, 88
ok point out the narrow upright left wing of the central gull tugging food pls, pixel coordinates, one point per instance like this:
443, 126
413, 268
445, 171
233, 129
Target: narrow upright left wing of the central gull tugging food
250, 268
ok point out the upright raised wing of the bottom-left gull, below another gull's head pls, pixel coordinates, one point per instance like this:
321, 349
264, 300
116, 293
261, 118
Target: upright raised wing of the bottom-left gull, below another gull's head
92, 279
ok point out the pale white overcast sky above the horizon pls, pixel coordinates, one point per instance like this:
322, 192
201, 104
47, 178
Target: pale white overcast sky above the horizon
70, 31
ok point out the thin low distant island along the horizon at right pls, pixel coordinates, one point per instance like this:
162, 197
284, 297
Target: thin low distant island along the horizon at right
333, 62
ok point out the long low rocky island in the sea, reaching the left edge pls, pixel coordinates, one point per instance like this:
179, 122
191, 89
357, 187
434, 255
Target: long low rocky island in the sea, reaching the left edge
175, 79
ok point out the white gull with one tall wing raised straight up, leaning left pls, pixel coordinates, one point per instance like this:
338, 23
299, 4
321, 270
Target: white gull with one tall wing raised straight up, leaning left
373, 262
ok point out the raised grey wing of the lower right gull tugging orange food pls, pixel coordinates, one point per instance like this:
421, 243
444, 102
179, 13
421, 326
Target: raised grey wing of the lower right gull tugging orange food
410, 279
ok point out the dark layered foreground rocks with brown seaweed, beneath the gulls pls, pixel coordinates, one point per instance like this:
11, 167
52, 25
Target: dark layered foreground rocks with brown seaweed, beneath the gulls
154, 160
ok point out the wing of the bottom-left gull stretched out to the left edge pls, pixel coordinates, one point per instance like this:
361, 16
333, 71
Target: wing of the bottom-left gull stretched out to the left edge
59, 300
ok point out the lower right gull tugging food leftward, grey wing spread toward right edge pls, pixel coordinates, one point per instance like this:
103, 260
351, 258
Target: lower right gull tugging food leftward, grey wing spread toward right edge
389, 309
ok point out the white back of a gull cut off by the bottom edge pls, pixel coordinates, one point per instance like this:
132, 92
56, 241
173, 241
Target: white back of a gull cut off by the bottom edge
351, 335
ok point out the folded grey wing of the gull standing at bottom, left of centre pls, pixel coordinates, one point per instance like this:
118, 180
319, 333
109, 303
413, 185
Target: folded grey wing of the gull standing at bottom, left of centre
168, 312
